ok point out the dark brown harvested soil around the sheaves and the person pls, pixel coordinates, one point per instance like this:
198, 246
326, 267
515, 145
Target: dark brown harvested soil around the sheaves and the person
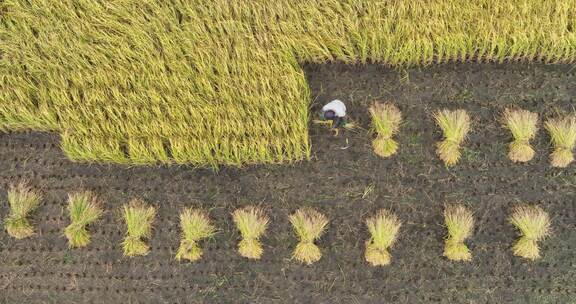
345, 180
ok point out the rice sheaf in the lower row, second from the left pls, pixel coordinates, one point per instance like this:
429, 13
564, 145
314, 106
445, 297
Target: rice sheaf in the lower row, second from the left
84, 210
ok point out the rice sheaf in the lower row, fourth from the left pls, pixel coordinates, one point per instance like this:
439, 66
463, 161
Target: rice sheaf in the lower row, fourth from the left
195, 226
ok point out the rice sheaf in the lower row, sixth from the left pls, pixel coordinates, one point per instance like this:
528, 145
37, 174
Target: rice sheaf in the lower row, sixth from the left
309, 225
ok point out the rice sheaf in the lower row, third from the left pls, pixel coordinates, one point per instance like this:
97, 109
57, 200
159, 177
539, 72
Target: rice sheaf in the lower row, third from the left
139, 219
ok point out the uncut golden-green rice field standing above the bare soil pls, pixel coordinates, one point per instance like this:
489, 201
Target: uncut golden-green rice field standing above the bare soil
220, 82
